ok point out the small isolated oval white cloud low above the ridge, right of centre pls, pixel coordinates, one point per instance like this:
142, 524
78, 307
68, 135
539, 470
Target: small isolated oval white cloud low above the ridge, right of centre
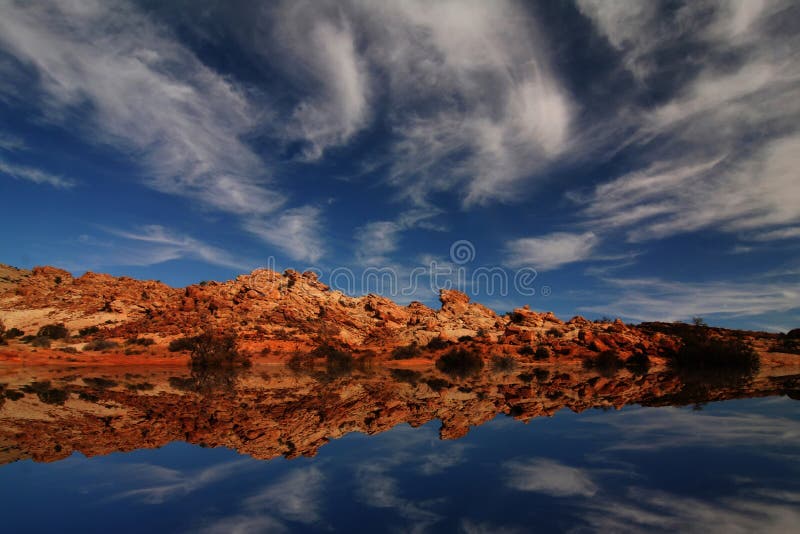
550, 251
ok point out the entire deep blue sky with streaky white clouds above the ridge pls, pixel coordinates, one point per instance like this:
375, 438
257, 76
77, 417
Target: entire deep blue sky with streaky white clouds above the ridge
640, 157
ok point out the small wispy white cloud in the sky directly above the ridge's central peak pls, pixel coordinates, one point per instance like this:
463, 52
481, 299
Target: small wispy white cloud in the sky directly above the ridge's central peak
295, 231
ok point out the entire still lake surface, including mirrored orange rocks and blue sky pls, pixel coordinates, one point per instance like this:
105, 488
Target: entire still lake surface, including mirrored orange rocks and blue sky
276, 450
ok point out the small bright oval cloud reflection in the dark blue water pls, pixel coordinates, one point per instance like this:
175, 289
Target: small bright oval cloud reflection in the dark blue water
542, 475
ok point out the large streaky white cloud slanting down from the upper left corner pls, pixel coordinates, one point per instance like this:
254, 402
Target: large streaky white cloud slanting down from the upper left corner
143, 93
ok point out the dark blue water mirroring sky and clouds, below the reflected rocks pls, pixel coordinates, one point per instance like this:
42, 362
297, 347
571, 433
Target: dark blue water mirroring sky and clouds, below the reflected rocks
731, 466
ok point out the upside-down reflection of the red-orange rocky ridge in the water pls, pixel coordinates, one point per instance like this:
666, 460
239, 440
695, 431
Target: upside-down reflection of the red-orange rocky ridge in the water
47, 413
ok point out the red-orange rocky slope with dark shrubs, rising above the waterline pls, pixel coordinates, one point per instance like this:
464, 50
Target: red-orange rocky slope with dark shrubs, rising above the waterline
281, 314
